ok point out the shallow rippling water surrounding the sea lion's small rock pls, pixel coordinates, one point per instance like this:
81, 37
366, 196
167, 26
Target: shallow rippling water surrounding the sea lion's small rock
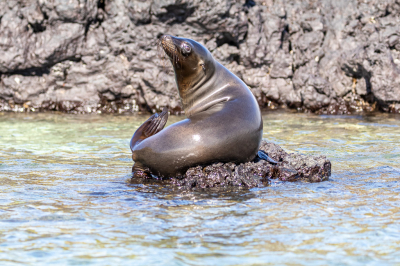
65, 198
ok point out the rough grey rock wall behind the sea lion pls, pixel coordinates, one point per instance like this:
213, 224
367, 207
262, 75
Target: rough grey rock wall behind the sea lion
101, 55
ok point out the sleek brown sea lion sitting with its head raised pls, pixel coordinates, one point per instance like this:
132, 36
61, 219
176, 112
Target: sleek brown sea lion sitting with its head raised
223, 121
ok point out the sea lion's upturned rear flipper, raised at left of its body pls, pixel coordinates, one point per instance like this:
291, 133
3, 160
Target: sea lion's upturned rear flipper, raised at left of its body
150, 127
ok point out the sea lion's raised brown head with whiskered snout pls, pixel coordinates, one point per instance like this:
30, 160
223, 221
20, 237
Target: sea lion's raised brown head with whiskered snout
192, 62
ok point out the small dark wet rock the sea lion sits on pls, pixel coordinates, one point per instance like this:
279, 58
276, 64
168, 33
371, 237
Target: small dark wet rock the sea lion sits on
290, 167
